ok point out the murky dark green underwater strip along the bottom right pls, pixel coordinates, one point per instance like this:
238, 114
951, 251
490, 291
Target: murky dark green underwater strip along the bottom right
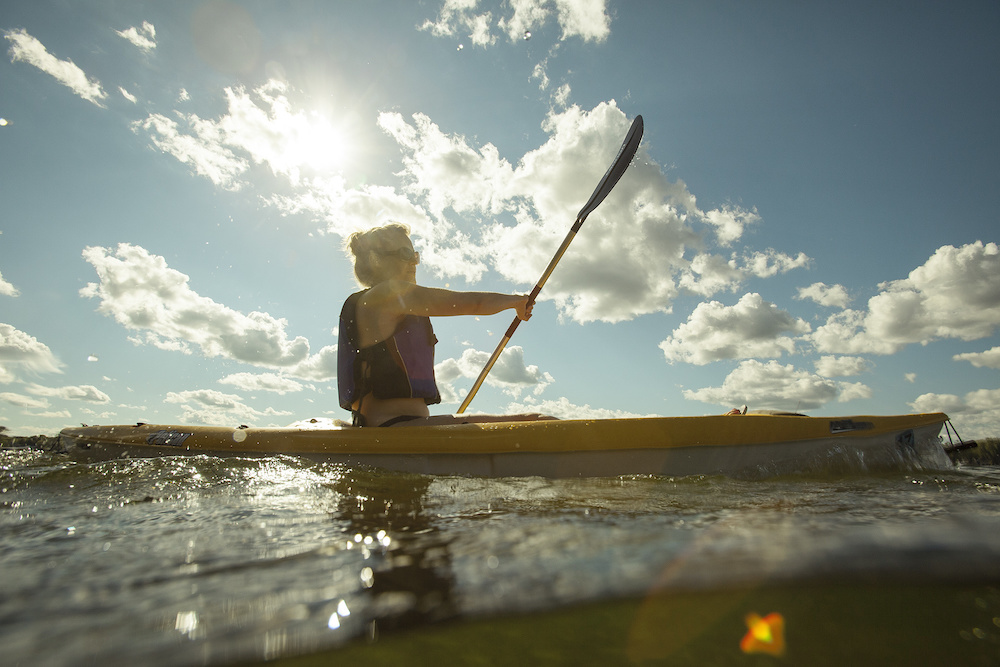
837, 624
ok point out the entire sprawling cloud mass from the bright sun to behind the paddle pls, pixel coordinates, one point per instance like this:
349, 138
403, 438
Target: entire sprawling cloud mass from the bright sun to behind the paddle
648, 242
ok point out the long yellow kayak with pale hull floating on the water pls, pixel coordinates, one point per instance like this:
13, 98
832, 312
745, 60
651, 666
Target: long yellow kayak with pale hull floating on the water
733, 445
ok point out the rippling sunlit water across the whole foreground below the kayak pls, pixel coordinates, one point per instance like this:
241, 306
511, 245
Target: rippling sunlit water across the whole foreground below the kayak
189, 561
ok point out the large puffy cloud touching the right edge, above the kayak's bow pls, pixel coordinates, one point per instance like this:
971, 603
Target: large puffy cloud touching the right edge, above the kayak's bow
955, 294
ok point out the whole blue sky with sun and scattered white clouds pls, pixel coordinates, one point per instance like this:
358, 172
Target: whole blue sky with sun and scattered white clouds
810, 222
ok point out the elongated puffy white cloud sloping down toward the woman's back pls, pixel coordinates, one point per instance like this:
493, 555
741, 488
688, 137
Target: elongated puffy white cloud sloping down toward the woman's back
142, 293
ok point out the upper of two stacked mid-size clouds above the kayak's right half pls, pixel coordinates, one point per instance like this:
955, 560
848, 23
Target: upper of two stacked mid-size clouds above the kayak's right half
751, 328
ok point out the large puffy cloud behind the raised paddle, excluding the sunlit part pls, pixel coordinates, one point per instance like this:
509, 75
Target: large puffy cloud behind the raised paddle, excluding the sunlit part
624, 261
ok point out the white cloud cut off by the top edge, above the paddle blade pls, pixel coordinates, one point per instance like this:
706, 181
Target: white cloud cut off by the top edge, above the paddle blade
586, 19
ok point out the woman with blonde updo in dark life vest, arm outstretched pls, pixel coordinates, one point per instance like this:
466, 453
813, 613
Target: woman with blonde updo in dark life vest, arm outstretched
386, 347
